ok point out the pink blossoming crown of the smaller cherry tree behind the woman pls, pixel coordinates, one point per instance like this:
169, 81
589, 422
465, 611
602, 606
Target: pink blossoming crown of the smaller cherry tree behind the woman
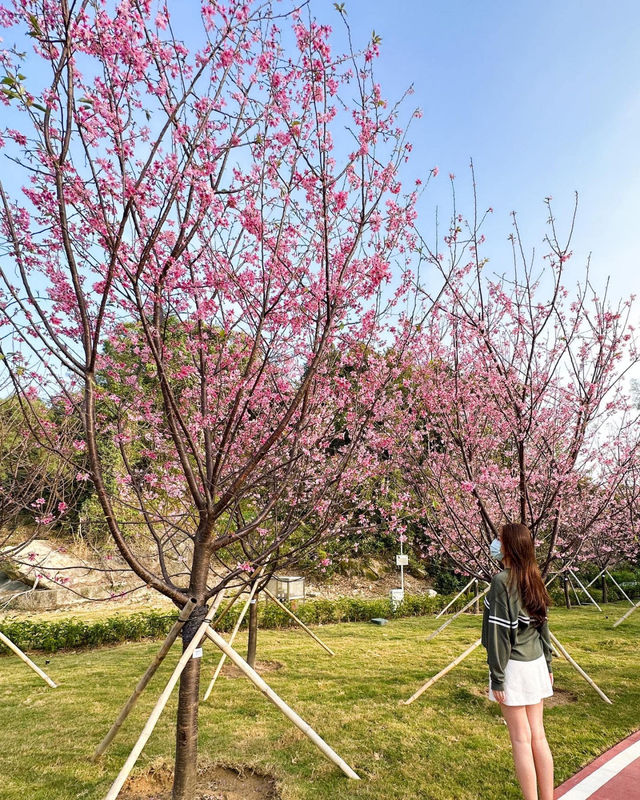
518, 403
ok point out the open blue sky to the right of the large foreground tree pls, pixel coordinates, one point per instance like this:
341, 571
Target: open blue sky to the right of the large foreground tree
544, 95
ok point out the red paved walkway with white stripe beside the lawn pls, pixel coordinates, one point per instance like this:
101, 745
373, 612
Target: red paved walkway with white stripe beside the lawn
615, 775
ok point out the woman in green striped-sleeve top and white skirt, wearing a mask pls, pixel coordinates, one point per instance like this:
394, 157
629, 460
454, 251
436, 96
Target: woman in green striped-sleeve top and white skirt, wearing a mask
516, 635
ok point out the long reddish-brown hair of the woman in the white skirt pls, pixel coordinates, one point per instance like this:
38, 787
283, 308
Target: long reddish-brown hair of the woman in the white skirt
519, 552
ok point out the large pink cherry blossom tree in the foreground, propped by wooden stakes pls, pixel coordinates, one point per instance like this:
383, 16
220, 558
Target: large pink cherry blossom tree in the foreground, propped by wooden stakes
198, 268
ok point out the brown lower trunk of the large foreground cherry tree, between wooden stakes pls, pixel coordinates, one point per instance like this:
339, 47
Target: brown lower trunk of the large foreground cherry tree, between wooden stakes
184, 779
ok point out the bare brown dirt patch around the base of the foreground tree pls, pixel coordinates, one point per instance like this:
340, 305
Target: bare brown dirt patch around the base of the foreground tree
215, 782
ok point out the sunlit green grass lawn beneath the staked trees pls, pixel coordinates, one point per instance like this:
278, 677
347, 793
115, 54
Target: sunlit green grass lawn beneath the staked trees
451, 744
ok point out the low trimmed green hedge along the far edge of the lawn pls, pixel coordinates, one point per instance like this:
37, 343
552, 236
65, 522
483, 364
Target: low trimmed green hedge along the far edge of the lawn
73, 633
